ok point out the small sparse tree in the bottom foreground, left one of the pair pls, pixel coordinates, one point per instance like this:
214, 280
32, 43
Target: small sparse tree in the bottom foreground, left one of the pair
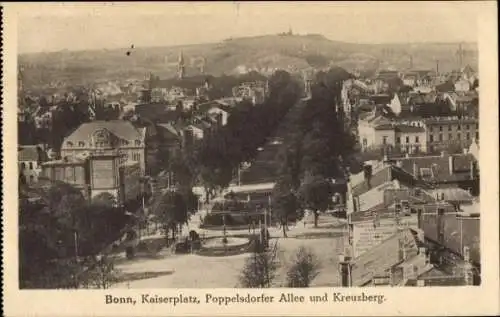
260, 268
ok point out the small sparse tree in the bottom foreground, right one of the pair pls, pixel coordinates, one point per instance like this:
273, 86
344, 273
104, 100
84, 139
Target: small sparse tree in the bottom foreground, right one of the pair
304, 269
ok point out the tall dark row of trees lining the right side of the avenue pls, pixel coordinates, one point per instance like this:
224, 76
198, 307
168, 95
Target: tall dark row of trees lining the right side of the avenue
312, 151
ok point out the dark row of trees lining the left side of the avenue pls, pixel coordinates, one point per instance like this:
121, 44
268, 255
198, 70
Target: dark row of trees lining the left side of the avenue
247, 129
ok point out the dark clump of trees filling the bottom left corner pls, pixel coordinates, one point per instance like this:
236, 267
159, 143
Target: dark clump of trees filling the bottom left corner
58, 232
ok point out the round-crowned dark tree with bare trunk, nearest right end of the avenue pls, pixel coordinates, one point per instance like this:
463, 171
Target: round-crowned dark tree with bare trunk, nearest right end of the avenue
316, 193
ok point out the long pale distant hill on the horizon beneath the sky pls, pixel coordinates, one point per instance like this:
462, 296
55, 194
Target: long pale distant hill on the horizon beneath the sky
262, 53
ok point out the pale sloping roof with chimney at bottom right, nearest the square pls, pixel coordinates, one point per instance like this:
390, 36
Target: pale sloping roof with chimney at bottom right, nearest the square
383, 257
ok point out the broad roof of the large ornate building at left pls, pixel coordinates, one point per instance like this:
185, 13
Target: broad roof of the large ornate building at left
121, 128
